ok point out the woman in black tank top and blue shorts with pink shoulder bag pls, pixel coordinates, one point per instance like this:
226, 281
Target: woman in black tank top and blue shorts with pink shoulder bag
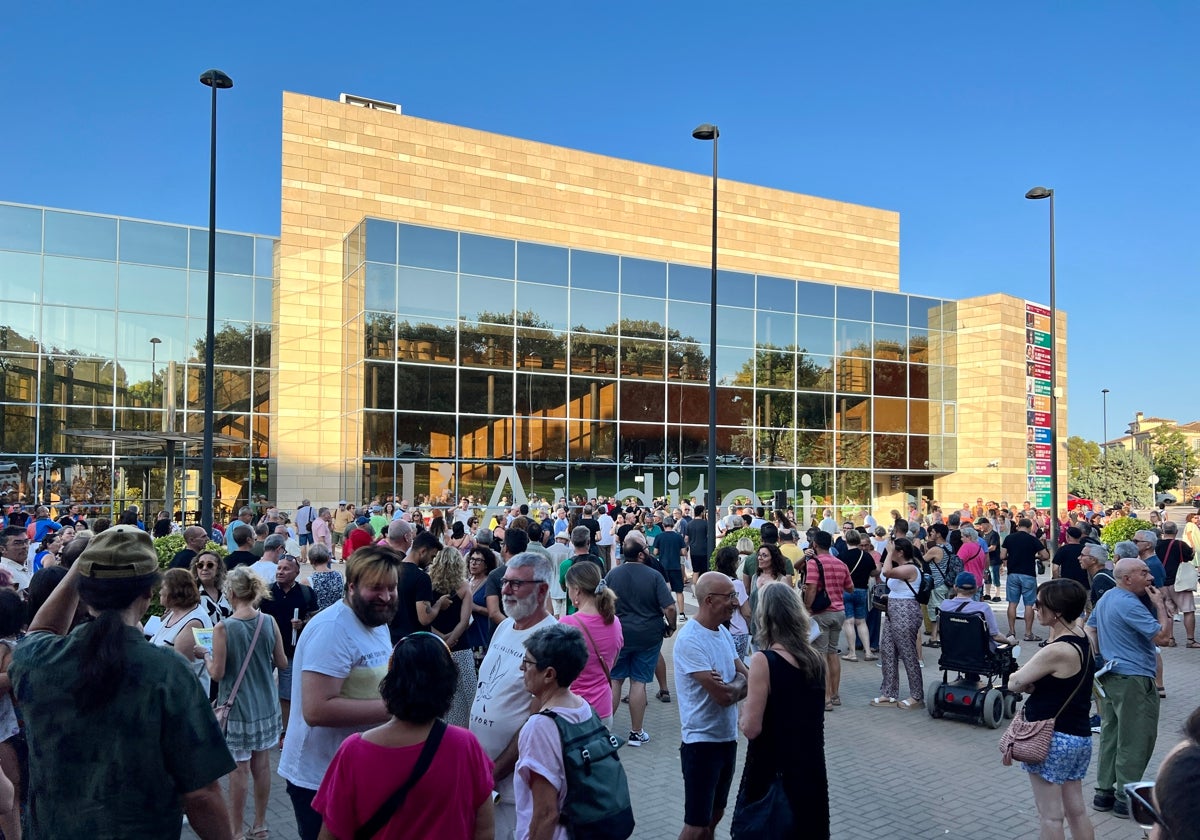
1059, 682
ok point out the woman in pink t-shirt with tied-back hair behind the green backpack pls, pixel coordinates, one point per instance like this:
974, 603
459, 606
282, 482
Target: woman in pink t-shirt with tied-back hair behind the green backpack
596, 617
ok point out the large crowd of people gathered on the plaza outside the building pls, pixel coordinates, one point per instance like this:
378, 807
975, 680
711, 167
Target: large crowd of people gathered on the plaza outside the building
437, 681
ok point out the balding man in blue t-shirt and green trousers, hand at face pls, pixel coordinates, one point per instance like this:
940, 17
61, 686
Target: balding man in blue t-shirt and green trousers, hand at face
1125, 632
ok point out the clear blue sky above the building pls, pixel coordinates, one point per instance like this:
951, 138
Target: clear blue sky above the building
945, 112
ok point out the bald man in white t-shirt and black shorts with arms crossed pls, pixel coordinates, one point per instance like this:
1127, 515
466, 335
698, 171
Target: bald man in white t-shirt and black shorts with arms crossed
711, 680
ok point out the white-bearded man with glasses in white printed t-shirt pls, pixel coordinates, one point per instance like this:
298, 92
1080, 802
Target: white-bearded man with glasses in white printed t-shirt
502, 703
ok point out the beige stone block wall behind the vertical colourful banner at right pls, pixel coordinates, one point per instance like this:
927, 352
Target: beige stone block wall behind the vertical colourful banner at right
991, 353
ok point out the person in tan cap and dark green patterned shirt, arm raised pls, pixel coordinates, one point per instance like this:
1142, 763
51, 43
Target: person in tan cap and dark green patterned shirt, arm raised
107, 716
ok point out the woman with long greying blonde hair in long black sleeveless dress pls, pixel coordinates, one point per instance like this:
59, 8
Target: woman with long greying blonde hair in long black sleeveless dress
784, 715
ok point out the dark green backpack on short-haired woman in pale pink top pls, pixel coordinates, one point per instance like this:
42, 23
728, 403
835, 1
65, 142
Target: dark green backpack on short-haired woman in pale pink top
597, 806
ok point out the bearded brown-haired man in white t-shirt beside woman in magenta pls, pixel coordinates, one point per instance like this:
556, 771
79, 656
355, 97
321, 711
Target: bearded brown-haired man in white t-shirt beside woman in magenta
340, 661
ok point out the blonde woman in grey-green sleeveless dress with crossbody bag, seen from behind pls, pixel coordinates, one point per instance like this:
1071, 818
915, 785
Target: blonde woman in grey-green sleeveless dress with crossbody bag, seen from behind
248, 646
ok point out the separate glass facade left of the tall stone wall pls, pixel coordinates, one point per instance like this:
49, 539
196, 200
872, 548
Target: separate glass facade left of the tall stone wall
103, 339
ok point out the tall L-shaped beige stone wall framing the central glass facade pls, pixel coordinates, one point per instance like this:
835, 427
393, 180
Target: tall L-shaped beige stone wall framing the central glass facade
344, 163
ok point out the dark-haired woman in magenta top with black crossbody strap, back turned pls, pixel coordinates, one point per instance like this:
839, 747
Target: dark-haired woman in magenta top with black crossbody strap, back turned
452, 800
